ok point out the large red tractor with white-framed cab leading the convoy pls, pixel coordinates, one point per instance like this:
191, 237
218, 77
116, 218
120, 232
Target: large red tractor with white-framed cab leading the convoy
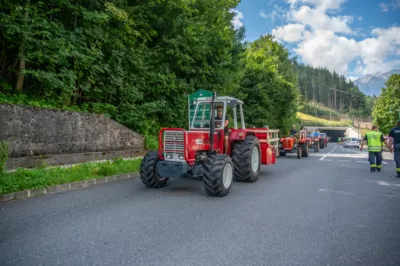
200, 152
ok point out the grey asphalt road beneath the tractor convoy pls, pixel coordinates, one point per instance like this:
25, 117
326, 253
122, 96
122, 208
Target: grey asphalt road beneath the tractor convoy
327, 209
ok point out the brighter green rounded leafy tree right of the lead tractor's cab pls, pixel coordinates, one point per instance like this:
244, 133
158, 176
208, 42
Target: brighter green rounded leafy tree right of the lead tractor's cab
270, 99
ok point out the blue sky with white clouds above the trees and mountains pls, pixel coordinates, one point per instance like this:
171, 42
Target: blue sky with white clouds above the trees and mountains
352, 37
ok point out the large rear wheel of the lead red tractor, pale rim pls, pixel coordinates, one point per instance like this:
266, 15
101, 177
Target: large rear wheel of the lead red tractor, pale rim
246, 157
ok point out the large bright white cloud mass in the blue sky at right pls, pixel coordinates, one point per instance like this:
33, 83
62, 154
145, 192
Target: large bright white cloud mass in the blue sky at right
319, 43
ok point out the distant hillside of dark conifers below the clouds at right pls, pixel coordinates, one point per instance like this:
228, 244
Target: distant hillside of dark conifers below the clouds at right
332, 90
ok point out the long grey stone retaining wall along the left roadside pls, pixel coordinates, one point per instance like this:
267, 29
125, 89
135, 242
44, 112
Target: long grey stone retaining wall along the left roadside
36, 131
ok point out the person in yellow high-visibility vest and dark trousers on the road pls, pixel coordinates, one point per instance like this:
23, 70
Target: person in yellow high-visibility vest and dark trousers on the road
375, 141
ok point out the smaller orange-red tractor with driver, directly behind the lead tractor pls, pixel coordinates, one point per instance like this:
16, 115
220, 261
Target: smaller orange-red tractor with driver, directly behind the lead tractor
300, 144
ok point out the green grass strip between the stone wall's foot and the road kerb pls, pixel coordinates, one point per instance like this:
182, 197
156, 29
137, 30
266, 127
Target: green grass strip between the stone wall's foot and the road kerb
23, 179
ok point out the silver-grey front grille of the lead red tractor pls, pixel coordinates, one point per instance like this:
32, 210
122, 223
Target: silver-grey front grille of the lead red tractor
174, 145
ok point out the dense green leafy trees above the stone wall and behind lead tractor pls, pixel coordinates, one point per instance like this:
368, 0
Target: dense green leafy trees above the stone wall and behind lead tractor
138, 61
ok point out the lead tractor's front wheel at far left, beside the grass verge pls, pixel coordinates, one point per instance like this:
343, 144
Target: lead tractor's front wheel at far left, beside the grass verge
148, 172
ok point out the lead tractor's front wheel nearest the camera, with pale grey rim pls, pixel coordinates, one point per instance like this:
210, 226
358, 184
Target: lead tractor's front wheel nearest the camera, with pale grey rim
218, 175
